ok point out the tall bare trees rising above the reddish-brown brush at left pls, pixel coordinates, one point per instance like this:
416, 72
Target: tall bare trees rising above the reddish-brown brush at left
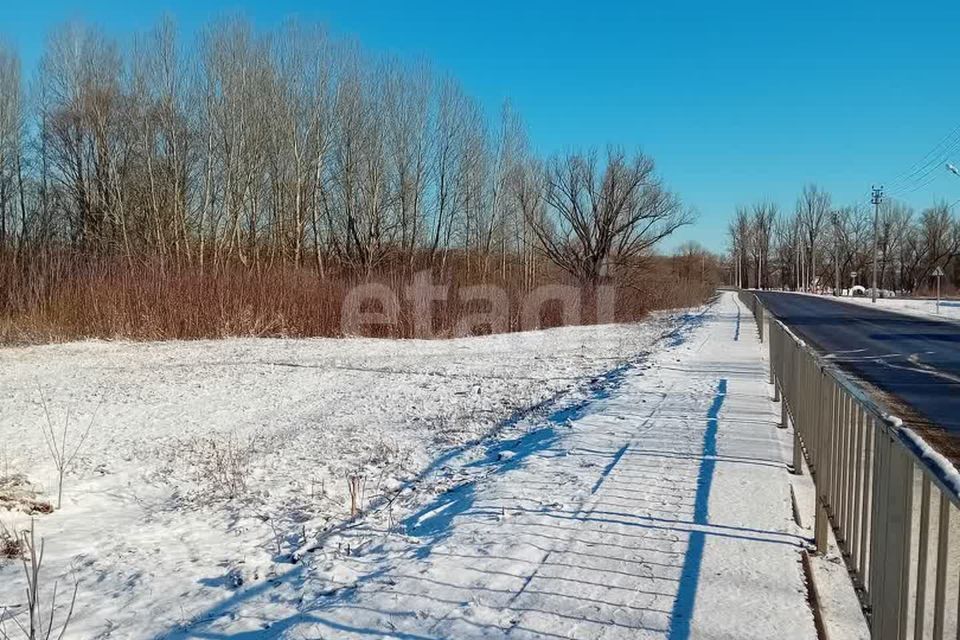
293, 148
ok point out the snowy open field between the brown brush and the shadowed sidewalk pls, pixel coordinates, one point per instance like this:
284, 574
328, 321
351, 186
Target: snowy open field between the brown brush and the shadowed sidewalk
209, 463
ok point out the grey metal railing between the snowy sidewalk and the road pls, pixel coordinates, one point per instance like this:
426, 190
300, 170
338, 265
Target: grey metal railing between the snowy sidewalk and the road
892, 503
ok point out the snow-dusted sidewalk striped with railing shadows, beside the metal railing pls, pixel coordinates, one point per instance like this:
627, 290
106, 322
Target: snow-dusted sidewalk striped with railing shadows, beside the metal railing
660, 508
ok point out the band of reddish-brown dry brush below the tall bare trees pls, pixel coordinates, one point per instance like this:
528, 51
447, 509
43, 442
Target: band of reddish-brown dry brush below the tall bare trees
59, 297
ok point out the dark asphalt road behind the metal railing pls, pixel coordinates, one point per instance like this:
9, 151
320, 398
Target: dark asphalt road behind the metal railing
913, 360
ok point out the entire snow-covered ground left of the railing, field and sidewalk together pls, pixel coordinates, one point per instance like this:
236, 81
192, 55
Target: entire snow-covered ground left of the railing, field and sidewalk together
623, 481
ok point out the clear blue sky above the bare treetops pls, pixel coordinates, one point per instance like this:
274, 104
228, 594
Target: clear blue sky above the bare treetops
735, 101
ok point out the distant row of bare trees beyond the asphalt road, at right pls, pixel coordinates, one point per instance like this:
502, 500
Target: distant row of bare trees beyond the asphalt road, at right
824, 247
